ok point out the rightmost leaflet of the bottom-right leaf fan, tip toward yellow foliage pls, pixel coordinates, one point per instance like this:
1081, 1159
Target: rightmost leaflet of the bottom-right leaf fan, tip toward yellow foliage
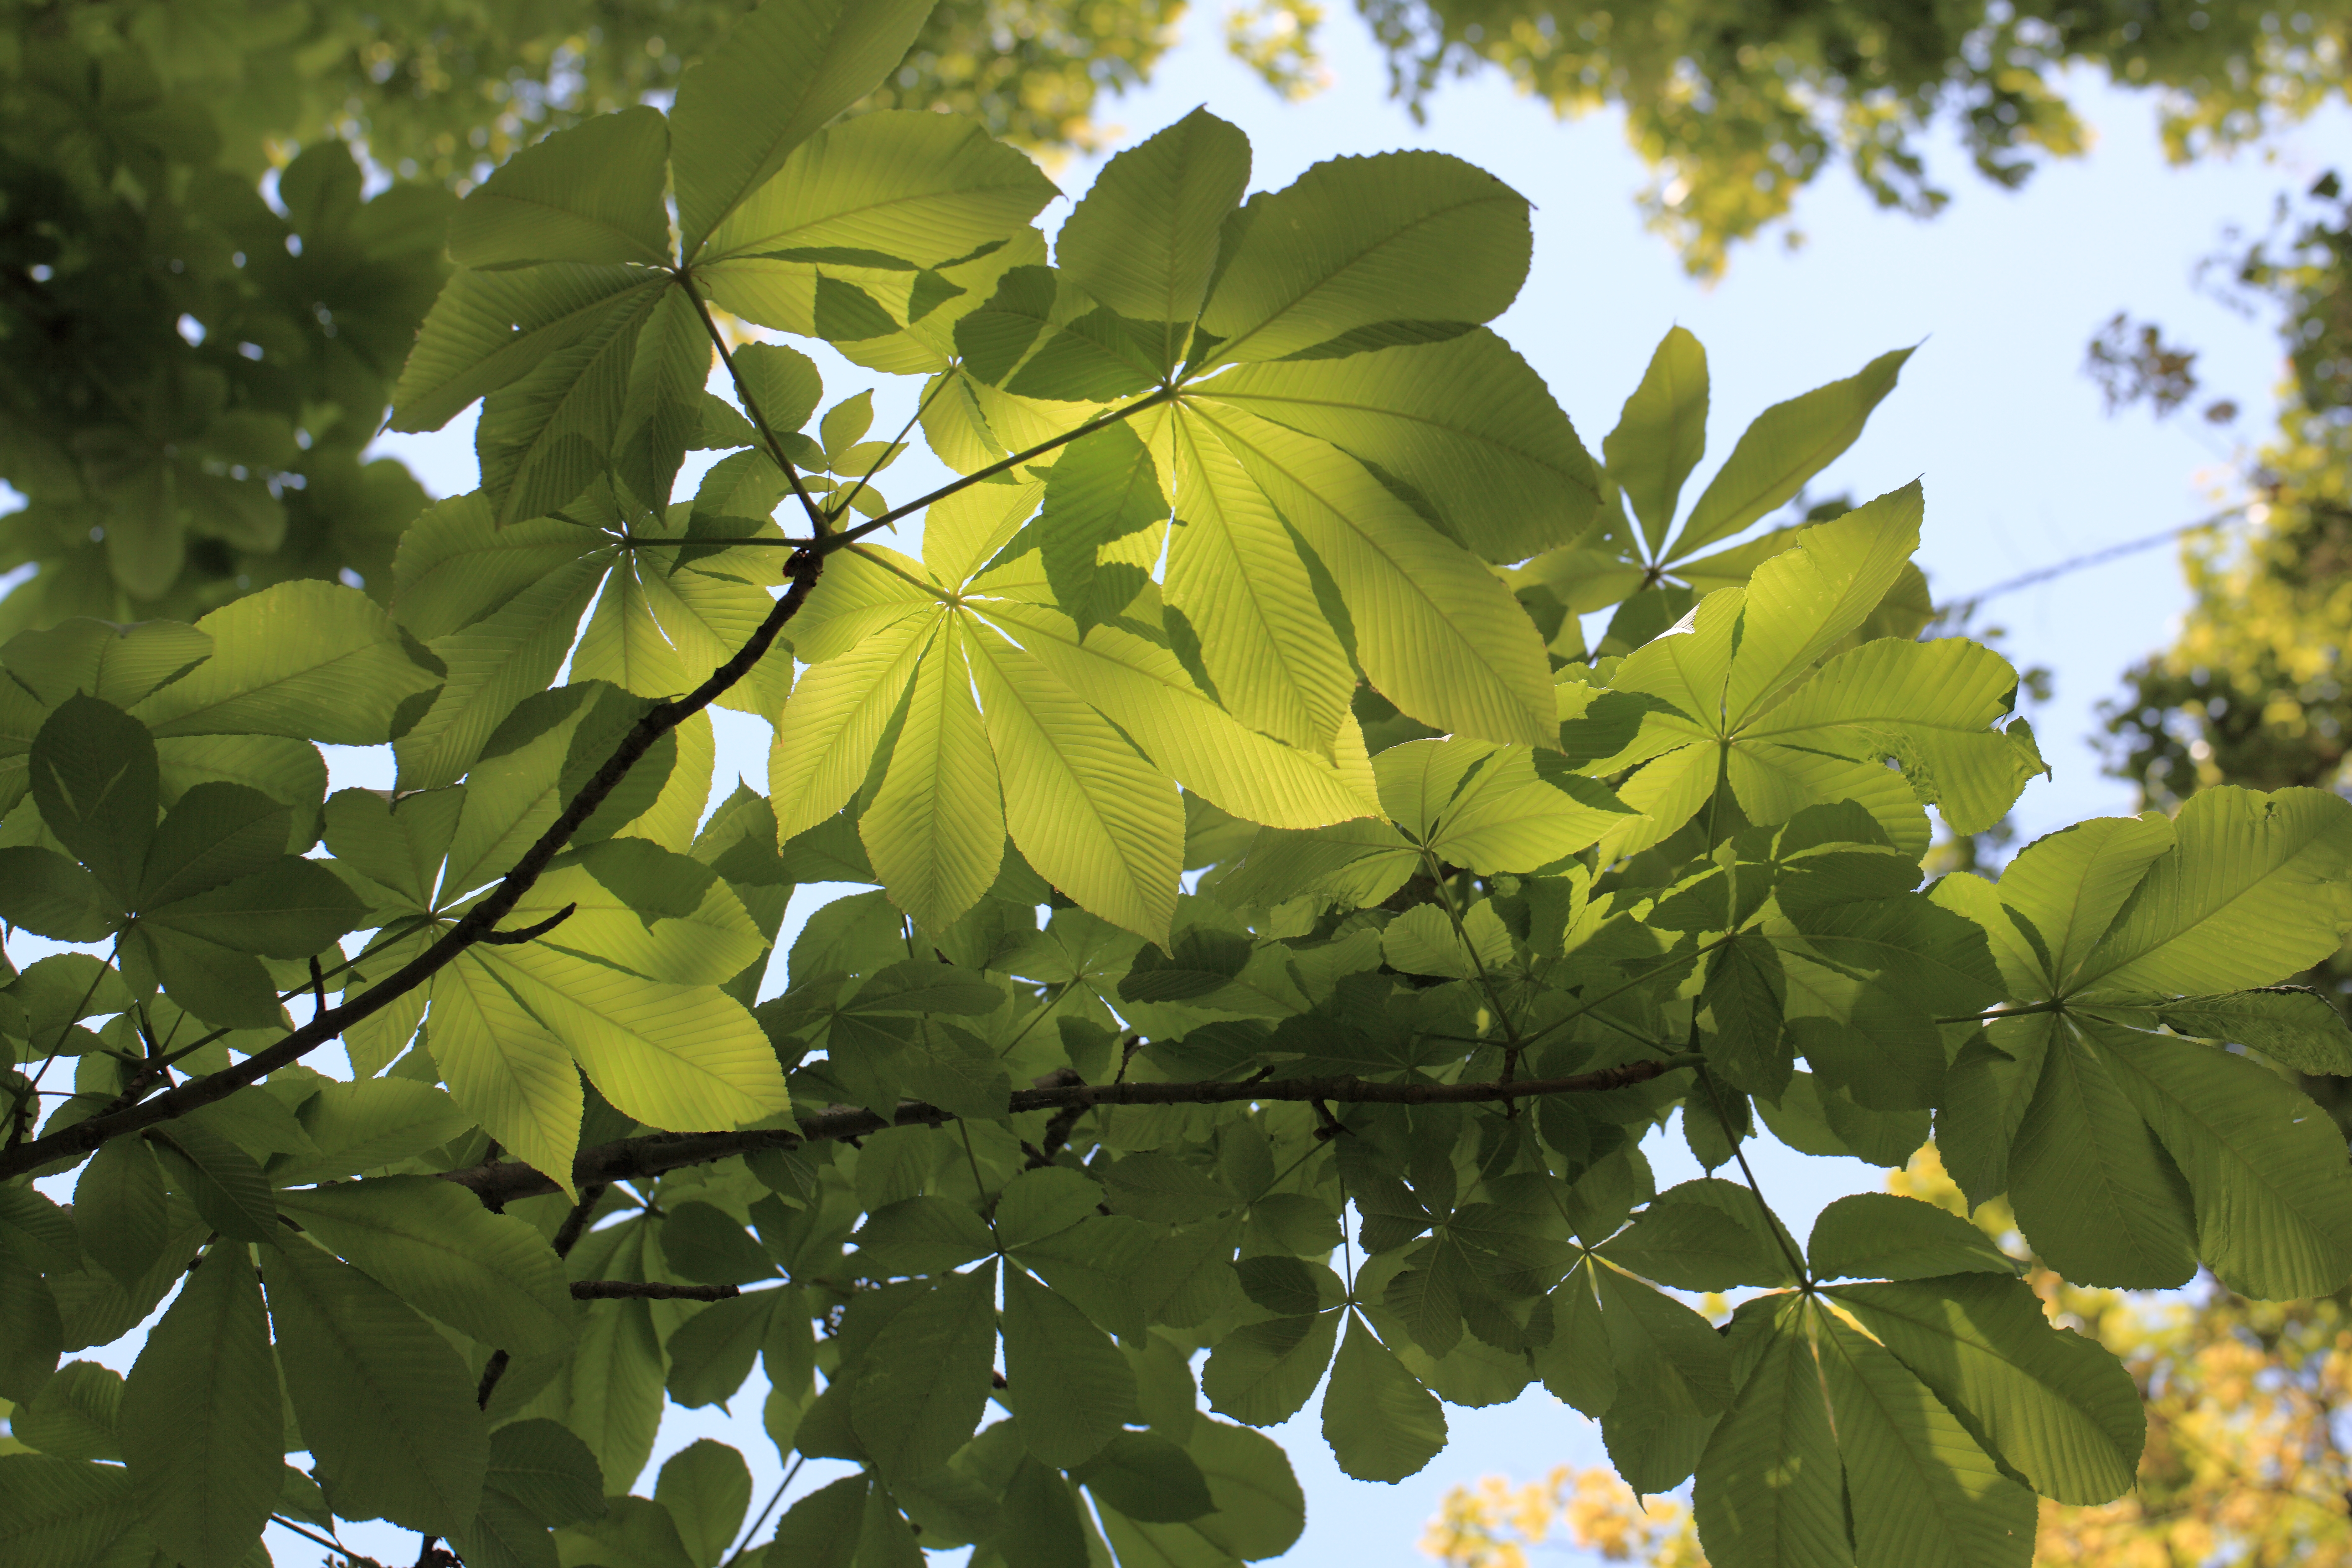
2054, 1407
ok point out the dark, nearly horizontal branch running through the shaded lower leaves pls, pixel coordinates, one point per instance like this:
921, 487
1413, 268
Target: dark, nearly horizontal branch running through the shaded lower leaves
643, 1158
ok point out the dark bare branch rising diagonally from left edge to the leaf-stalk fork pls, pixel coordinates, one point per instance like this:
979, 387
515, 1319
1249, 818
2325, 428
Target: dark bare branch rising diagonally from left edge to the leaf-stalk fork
476, 925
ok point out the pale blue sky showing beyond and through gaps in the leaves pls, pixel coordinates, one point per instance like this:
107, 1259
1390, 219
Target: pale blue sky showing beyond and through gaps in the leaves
2019, 462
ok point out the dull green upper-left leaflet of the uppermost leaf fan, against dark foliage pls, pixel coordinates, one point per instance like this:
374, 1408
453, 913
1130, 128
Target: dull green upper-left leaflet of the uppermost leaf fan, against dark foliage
587, 194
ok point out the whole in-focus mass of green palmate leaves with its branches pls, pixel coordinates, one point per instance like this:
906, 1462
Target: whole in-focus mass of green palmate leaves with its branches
1264, 873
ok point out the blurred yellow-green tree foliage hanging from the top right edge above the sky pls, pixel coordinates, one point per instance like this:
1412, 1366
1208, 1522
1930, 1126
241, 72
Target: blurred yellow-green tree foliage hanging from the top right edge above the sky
1739, 107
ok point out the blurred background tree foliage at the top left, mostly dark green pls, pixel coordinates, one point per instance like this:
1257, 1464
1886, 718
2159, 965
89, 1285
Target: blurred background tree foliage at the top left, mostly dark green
222, 222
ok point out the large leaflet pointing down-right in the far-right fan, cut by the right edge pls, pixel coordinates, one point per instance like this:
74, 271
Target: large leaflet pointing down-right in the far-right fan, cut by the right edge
2264, 1162
